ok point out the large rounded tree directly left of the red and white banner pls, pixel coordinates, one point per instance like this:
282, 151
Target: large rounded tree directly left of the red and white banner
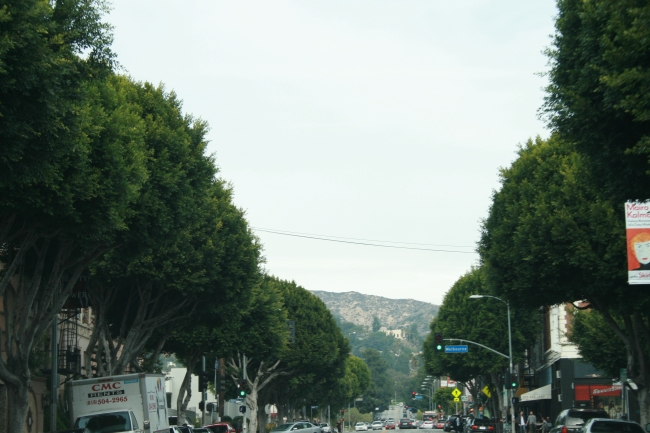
550, 238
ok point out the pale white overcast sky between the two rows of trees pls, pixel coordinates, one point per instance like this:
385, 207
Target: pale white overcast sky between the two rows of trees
376, 119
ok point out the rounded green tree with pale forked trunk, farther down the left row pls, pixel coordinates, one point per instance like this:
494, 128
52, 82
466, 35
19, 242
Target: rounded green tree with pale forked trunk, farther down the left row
306, 369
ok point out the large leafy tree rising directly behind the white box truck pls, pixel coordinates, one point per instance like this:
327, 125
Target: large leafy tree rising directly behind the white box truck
186, 240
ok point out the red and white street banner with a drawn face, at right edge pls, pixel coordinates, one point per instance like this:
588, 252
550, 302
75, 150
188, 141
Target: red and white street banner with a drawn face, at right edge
637, 228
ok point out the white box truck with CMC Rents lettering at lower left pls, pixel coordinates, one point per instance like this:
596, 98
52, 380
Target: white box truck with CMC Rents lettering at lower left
132, 403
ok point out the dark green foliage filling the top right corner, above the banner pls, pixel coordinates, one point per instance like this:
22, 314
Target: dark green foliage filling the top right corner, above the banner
597, 97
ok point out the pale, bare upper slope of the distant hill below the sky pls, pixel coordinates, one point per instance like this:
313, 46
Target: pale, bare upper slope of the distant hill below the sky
392, 313
